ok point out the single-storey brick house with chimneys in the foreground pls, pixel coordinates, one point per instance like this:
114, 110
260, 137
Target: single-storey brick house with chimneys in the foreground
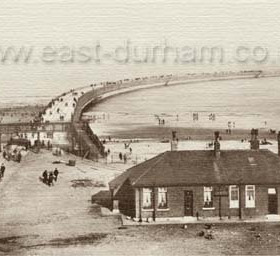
204, 183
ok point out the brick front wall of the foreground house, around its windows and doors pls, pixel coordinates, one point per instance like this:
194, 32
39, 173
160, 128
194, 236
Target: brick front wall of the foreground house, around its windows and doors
175, 197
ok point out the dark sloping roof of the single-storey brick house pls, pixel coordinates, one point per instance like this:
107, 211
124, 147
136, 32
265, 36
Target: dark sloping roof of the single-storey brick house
201, 167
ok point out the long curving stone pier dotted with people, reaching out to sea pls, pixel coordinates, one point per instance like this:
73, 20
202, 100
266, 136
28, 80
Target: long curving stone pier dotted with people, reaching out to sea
70, 106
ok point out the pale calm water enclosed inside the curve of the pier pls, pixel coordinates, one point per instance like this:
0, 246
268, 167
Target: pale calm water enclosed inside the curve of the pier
244, 103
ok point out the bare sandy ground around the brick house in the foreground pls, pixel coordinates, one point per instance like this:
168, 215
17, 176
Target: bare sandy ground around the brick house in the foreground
39, 220
